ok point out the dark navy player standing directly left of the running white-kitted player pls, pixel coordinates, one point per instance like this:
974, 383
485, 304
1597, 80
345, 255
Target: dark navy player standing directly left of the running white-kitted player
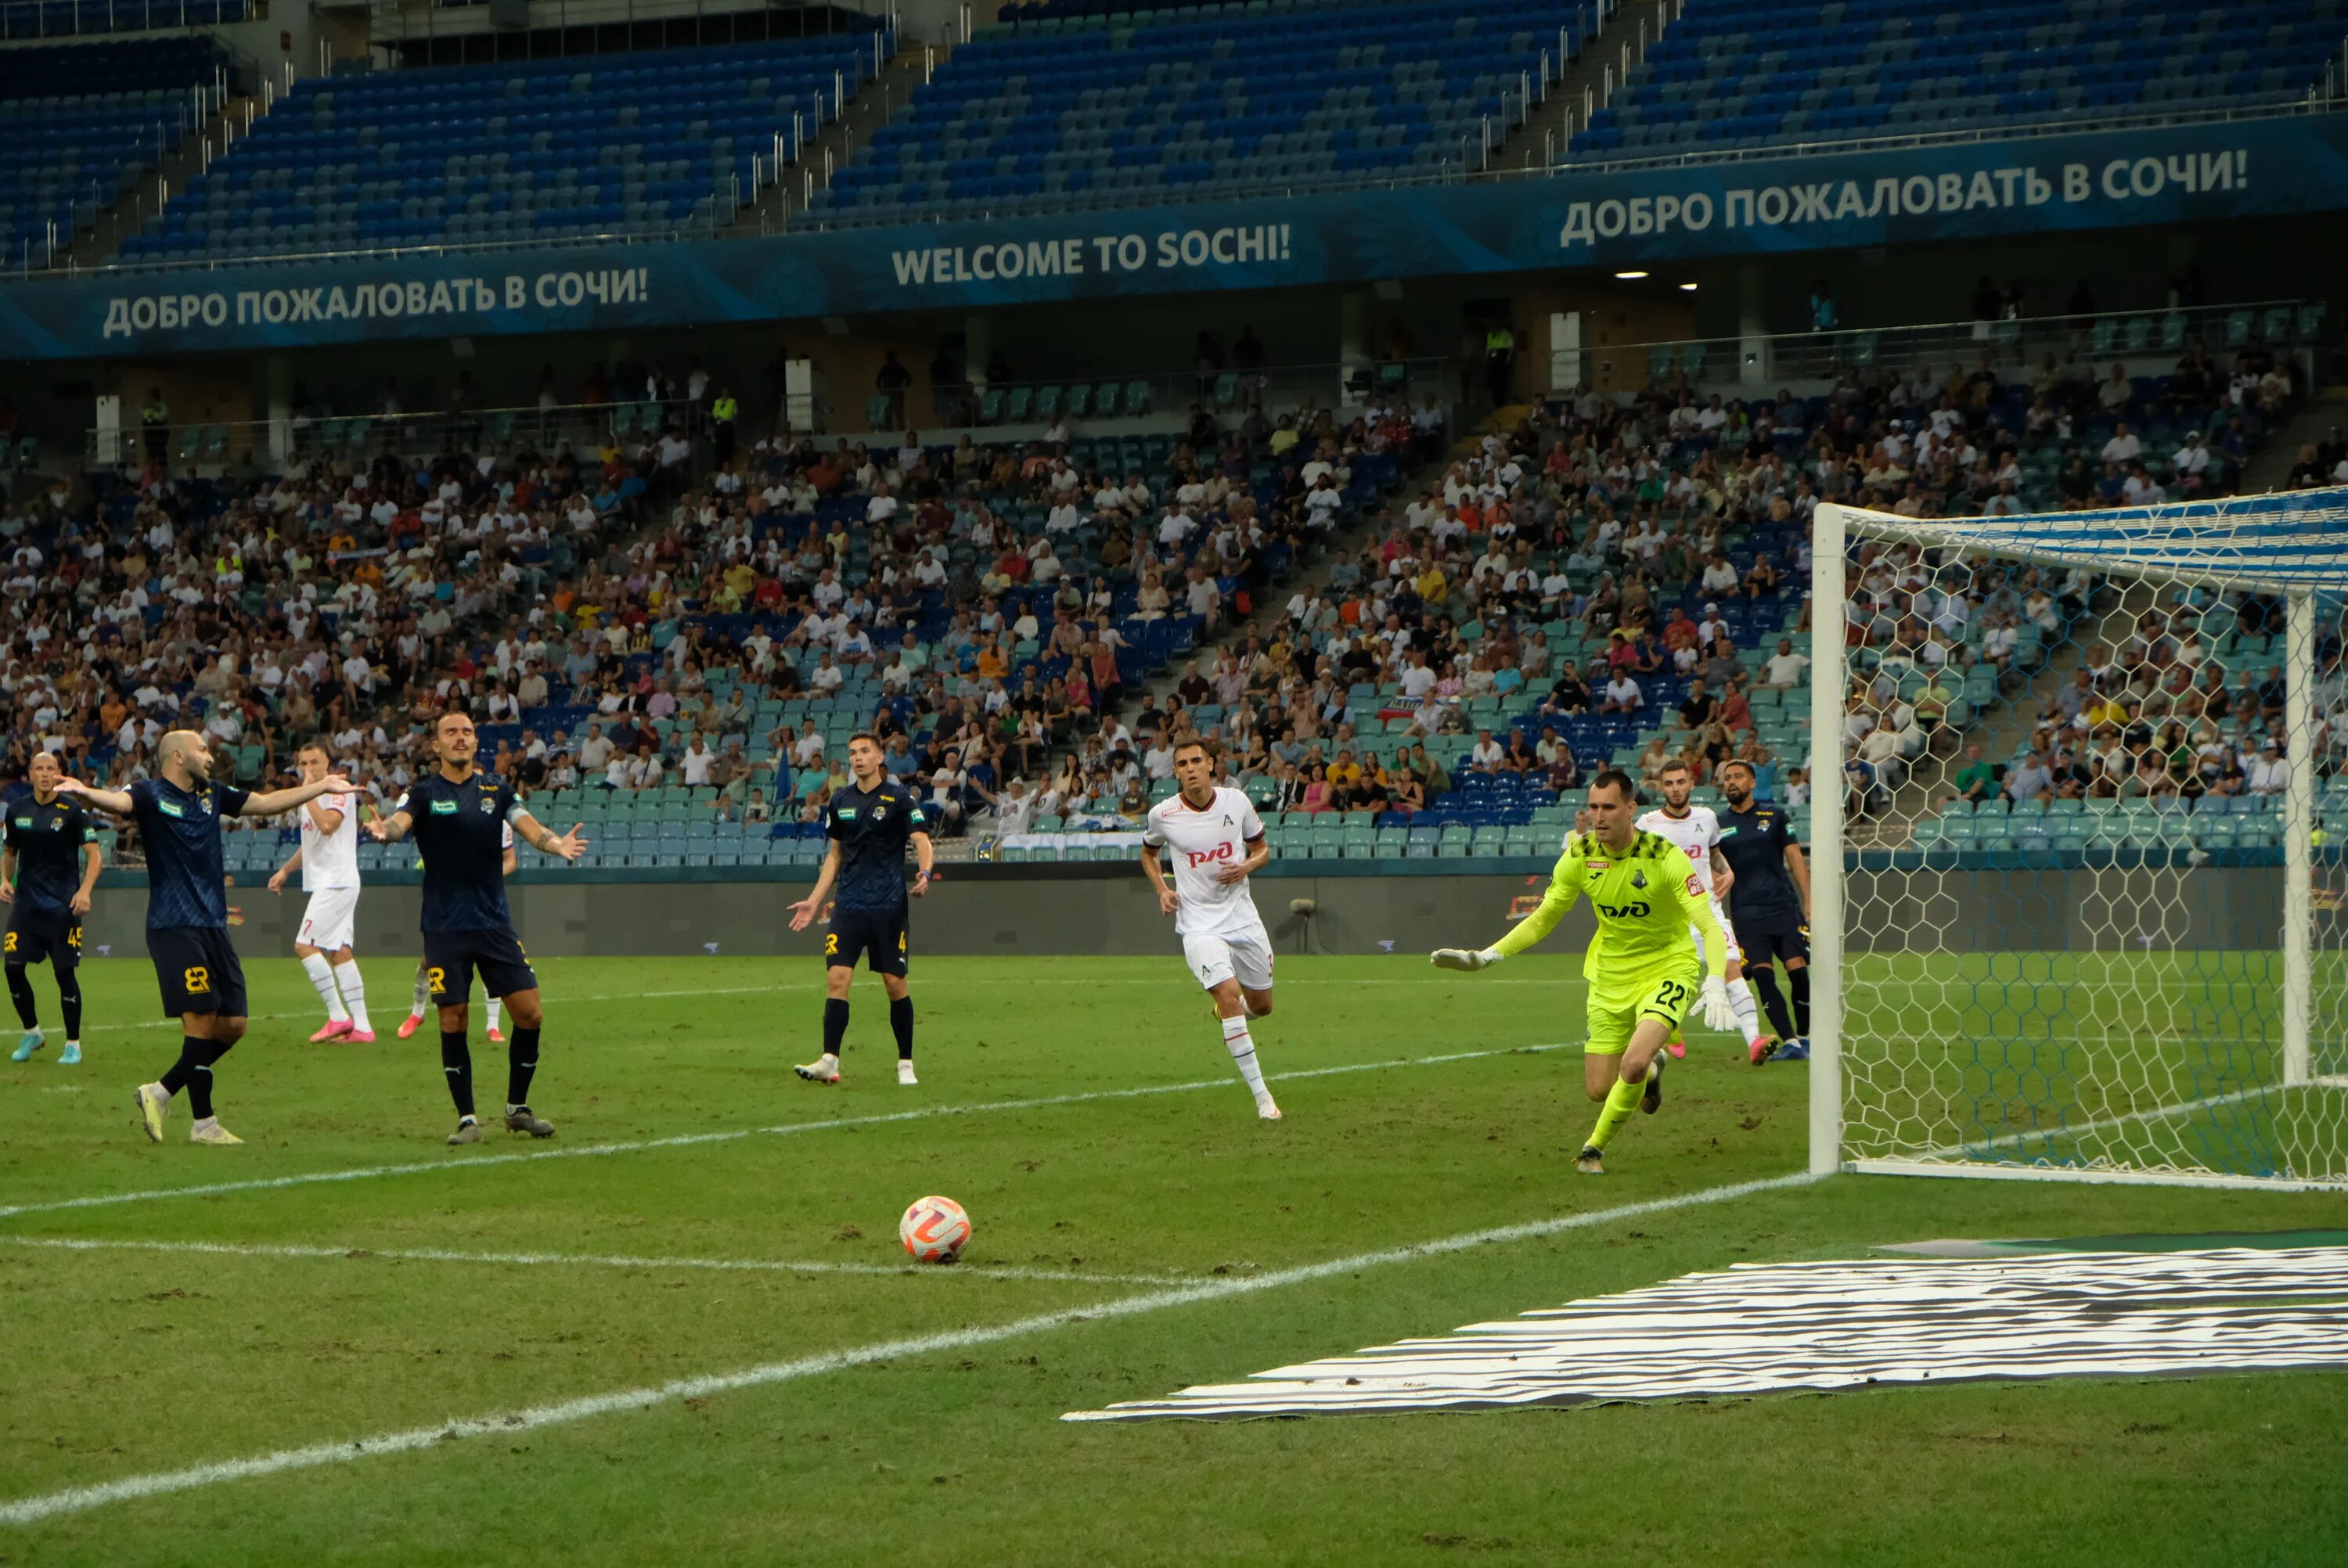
870, 825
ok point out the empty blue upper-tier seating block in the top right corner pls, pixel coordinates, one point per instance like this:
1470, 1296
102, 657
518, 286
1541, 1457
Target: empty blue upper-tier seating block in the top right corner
1788, 72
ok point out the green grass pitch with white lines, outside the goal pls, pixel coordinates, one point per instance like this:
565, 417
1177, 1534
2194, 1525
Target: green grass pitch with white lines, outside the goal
684, 1332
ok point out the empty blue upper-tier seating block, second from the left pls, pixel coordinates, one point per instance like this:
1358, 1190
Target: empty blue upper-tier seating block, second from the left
614, 144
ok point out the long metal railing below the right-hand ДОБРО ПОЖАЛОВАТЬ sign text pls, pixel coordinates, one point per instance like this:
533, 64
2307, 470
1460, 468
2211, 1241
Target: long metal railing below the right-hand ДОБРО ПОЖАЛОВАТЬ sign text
1769, 360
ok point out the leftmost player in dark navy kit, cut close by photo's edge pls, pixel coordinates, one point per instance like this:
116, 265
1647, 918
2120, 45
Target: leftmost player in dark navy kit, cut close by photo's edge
48, 874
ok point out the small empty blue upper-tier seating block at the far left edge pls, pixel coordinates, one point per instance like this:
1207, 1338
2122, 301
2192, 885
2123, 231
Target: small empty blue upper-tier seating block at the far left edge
81, 123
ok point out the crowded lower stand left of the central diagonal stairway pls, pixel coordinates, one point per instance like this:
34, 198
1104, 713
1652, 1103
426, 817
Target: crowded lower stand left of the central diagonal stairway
978, 607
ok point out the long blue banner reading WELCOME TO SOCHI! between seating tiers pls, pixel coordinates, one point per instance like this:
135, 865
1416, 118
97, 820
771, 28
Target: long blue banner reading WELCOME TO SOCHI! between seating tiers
1600, 219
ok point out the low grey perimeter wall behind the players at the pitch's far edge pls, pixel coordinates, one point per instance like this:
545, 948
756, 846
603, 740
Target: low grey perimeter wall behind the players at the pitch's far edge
1025, 912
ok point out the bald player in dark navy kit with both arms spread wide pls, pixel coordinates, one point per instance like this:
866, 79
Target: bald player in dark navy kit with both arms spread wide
203, 985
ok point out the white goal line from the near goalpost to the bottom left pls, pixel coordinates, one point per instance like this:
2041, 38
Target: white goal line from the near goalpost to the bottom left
344, 1452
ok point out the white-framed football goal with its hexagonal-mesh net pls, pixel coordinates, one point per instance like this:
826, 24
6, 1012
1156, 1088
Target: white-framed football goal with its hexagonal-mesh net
2077, 907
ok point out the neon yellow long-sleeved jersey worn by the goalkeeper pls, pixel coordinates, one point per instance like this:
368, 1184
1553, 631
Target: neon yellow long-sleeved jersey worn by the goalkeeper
1645, 895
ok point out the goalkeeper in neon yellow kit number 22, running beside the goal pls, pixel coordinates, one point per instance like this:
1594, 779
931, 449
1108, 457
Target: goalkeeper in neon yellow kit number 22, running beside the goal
1642, 968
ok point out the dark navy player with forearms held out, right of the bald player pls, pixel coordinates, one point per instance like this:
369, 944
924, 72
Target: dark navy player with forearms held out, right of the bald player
459, 818
